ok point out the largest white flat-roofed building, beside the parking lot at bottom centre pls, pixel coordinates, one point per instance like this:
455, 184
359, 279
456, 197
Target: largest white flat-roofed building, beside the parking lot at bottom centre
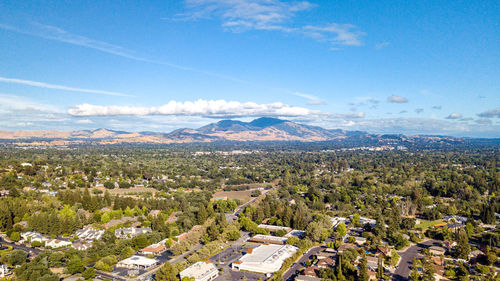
265, 258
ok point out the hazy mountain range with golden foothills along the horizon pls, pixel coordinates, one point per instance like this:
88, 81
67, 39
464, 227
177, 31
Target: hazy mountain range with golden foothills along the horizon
261, 129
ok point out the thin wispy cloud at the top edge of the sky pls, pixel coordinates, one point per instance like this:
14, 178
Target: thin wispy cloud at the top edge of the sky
271, 15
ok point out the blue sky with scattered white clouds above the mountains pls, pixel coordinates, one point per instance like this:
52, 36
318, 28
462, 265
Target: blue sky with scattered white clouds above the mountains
410, 67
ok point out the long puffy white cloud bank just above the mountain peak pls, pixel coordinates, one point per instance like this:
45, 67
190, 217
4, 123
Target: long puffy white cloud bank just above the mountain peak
207, 108
